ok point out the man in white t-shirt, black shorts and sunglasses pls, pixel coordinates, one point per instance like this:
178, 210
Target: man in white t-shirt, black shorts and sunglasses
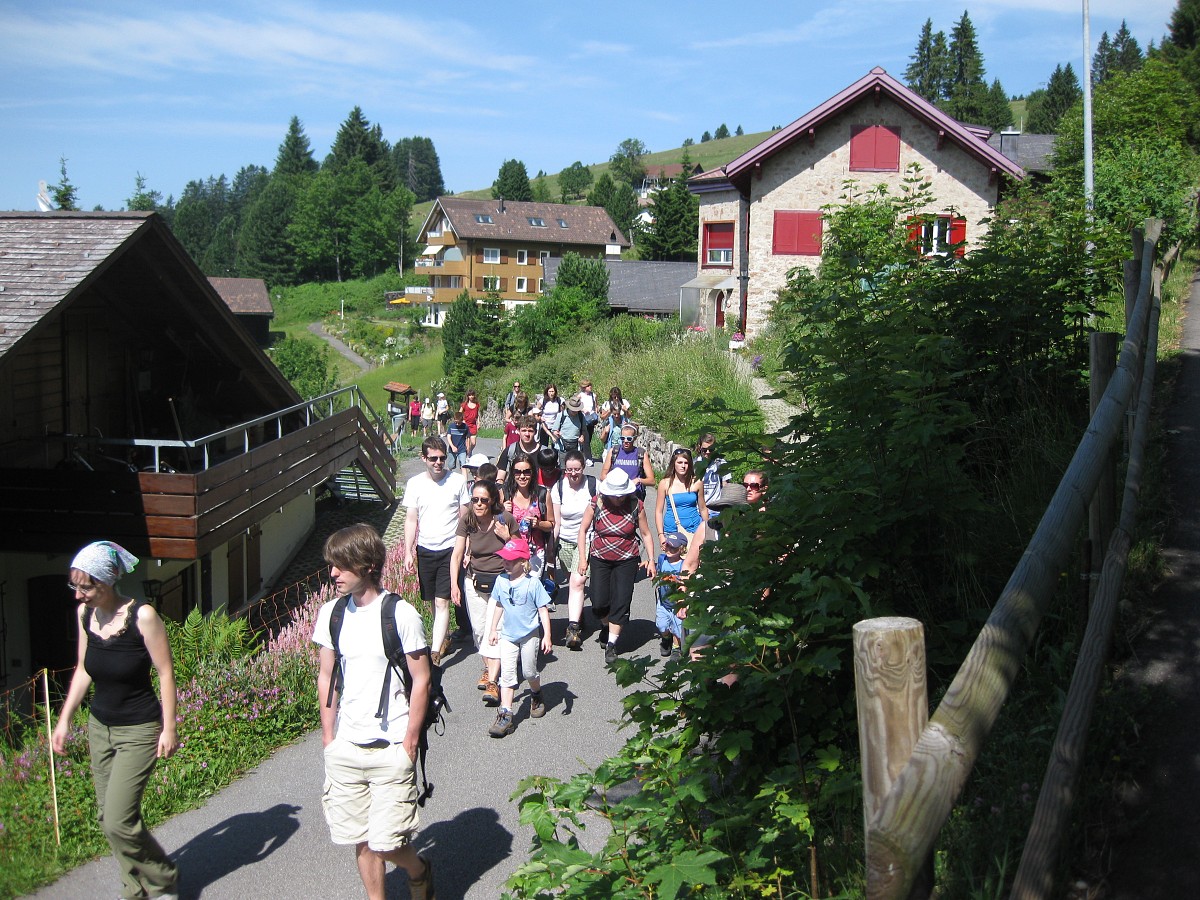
433, 505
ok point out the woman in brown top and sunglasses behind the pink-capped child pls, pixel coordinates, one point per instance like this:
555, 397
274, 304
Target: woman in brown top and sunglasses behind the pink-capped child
483, 533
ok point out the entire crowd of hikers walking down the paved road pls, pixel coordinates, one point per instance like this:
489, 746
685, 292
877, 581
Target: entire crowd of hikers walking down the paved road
499, 542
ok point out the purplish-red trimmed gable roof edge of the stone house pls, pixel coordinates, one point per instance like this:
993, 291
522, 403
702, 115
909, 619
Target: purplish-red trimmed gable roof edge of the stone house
877, 83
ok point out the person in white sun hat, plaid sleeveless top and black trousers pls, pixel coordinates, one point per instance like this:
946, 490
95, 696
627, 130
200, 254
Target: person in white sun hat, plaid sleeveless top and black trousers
611, 526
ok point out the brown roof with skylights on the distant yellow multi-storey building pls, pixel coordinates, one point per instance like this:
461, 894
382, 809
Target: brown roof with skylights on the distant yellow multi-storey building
511, 221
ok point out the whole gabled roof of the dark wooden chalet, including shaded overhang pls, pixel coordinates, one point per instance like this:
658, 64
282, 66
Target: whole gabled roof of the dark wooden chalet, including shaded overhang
51, 260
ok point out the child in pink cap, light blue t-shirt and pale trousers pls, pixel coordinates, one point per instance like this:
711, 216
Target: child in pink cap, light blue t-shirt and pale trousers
521, 602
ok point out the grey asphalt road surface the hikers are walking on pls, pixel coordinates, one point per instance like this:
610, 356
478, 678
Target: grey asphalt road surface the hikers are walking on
265, 837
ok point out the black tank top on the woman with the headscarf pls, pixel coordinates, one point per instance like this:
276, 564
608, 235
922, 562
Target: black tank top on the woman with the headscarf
121, 670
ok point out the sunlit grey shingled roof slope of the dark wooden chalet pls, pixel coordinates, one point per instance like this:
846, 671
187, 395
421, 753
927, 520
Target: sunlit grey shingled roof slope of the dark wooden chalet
46, 257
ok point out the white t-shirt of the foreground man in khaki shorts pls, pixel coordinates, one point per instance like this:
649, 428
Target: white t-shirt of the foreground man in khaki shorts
364, 665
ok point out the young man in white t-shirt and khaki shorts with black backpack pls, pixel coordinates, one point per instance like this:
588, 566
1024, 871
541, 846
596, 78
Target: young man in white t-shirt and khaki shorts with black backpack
370, 795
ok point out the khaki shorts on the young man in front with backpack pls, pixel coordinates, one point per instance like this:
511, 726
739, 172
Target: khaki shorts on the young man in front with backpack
370, 796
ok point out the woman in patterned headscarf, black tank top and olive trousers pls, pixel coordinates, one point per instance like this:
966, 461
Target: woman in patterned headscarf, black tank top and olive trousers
129, 728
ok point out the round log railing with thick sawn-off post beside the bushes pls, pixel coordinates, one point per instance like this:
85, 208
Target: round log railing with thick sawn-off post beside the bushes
915, 772
